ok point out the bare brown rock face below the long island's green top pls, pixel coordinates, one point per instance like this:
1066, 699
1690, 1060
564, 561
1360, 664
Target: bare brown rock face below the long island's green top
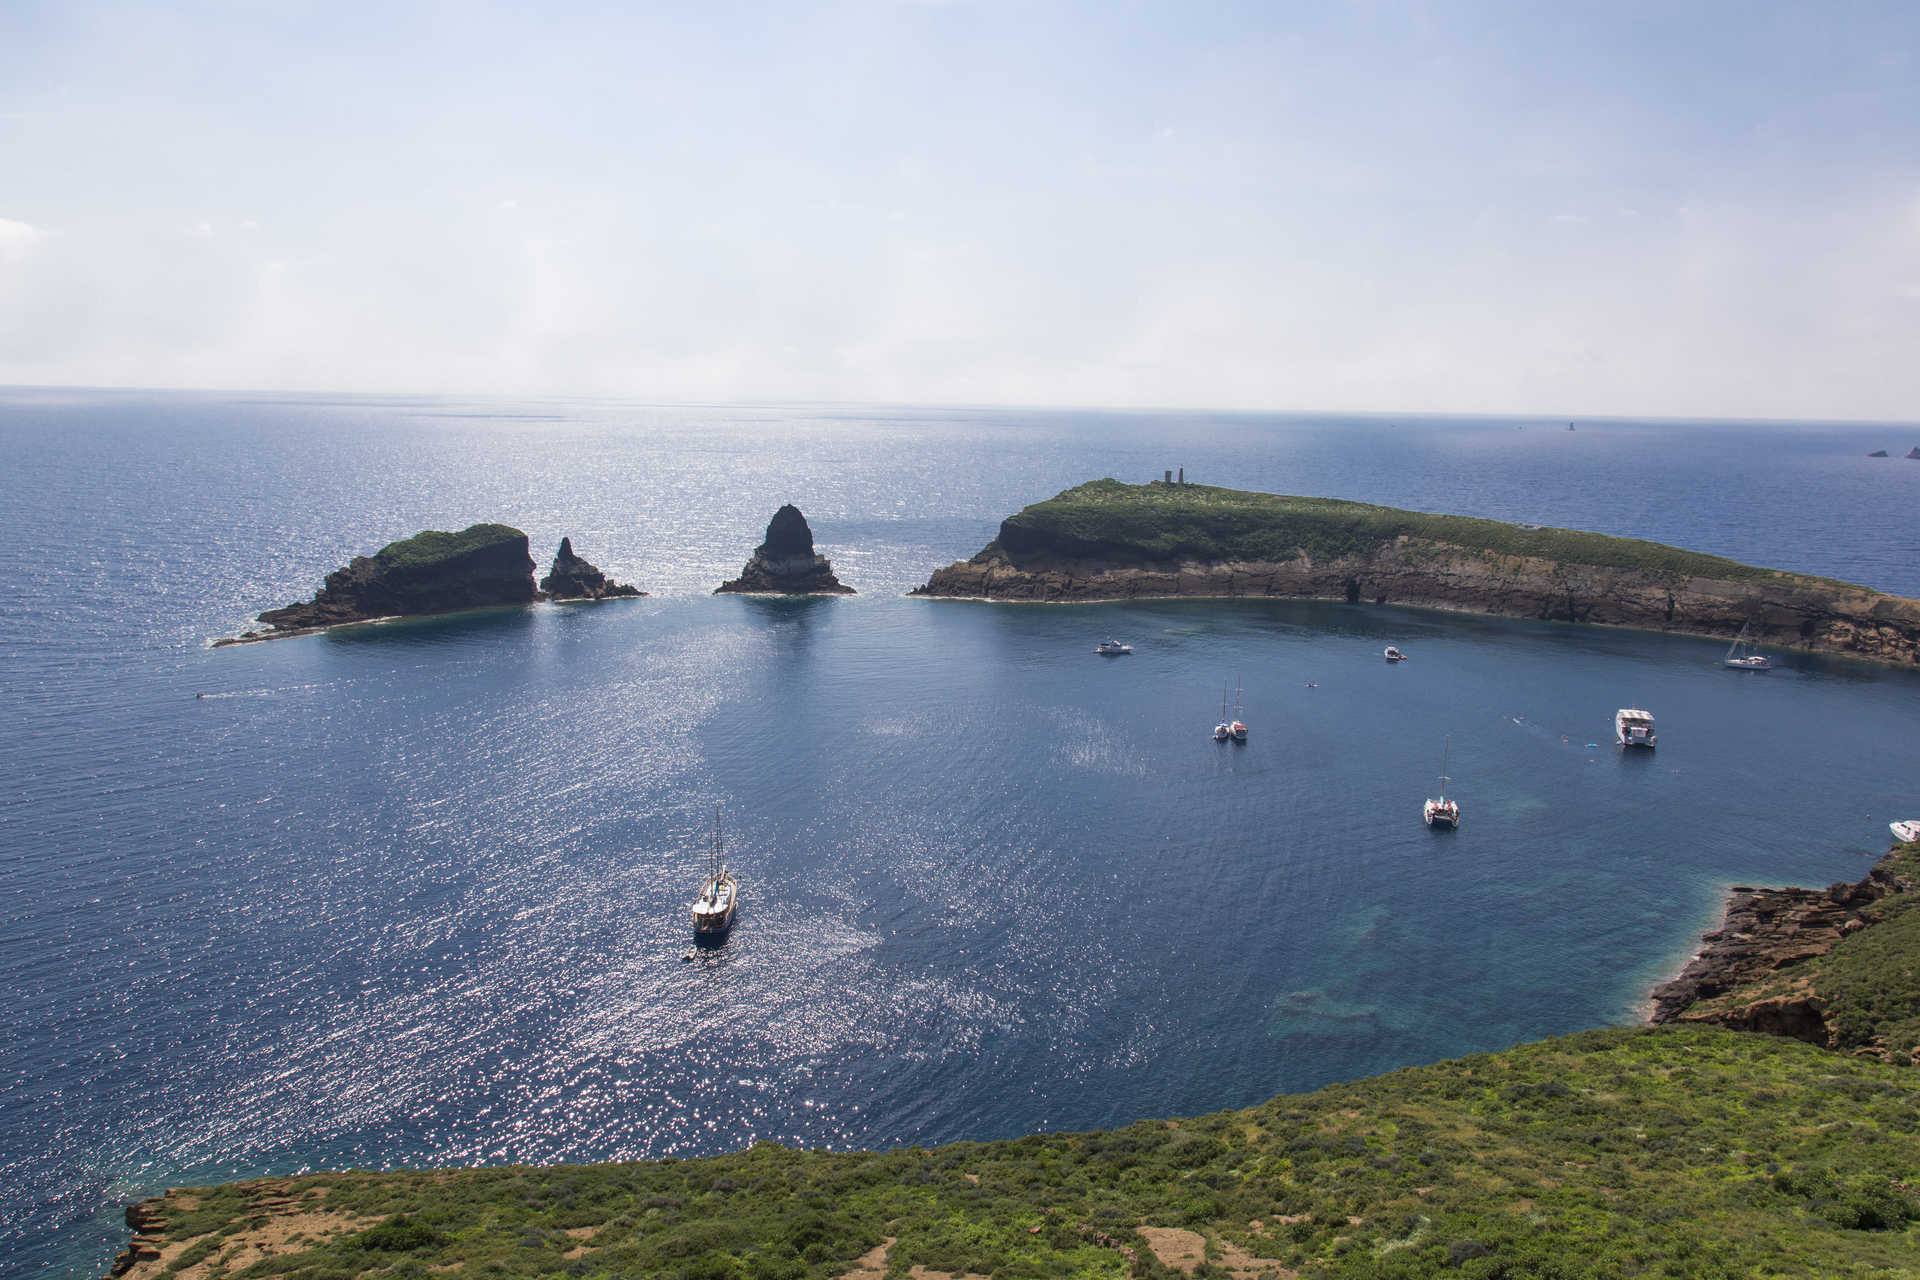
1788, 611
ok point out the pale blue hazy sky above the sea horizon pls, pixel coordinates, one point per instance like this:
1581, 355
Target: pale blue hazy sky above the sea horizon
1452, 206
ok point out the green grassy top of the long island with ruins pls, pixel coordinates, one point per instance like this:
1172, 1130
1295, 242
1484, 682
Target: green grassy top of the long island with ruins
1174, 523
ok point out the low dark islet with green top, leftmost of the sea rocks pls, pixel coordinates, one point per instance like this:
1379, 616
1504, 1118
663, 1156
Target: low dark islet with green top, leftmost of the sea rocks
431, 573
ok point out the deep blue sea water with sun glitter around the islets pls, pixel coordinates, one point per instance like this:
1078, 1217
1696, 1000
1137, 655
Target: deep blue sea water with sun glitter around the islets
416, 895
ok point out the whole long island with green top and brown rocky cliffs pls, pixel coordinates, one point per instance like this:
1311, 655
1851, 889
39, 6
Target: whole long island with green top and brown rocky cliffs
1115, 542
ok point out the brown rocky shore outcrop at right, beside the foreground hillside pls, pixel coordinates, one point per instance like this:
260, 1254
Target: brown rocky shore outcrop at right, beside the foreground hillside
1760, 970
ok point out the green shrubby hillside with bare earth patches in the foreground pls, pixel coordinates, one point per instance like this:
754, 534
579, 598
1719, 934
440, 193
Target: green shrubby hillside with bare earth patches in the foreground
1671, 1152
